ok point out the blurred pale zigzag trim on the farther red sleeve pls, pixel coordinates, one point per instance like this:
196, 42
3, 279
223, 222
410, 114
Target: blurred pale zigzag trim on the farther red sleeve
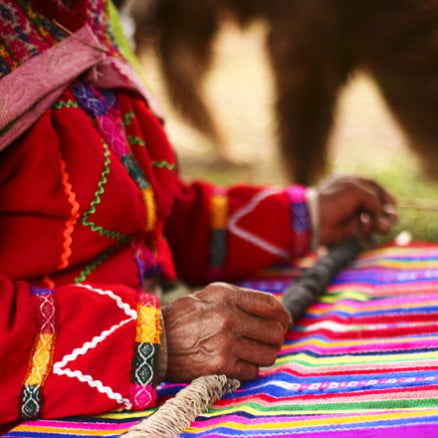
250, 237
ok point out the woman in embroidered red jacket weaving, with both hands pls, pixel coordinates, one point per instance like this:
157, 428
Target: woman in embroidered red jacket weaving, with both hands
93, 215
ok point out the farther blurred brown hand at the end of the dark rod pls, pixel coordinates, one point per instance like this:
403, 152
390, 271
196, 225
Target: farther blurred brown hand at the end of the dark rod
352, 205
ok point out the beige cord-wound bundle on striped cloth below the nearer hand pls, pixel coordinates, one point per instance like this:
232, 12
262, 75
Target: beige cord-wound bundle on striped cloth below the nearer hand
180, 411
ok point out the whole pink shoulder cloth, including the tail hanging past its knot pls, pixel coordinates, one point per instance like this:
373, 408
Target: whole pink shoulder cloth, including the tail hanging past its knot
34, 86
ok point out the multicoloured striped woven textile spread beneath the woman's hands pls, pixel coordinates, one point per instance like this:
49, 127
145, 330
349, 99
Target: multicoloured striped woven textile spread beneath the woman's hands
362, 362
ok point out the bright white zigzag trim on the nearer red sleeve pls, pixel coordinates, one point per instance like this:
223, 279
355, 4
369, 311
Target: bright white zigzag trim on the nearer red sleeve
59, 367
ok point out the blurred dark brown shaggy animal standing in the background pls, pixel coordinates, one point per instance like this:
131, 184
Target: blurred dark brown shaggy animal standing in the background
313, 47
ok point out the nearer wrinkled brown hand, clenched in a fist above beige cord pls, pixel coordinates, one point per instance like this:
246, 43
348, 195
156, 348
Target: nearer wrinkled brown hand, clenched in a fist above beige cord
223, 329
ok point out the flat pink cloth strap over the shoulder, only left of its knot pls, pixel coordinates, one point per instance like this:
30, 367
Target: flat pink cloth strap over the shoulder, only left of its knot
33, 87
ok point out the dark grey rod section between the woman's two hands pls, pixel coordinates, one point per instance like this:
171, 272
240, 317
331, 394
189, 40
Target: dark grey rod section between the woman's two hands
306, 289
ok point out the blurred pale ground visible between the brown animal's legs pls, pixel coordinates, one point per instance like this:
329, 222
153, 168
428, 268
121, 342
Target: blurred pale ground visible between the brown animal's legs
365, 140
